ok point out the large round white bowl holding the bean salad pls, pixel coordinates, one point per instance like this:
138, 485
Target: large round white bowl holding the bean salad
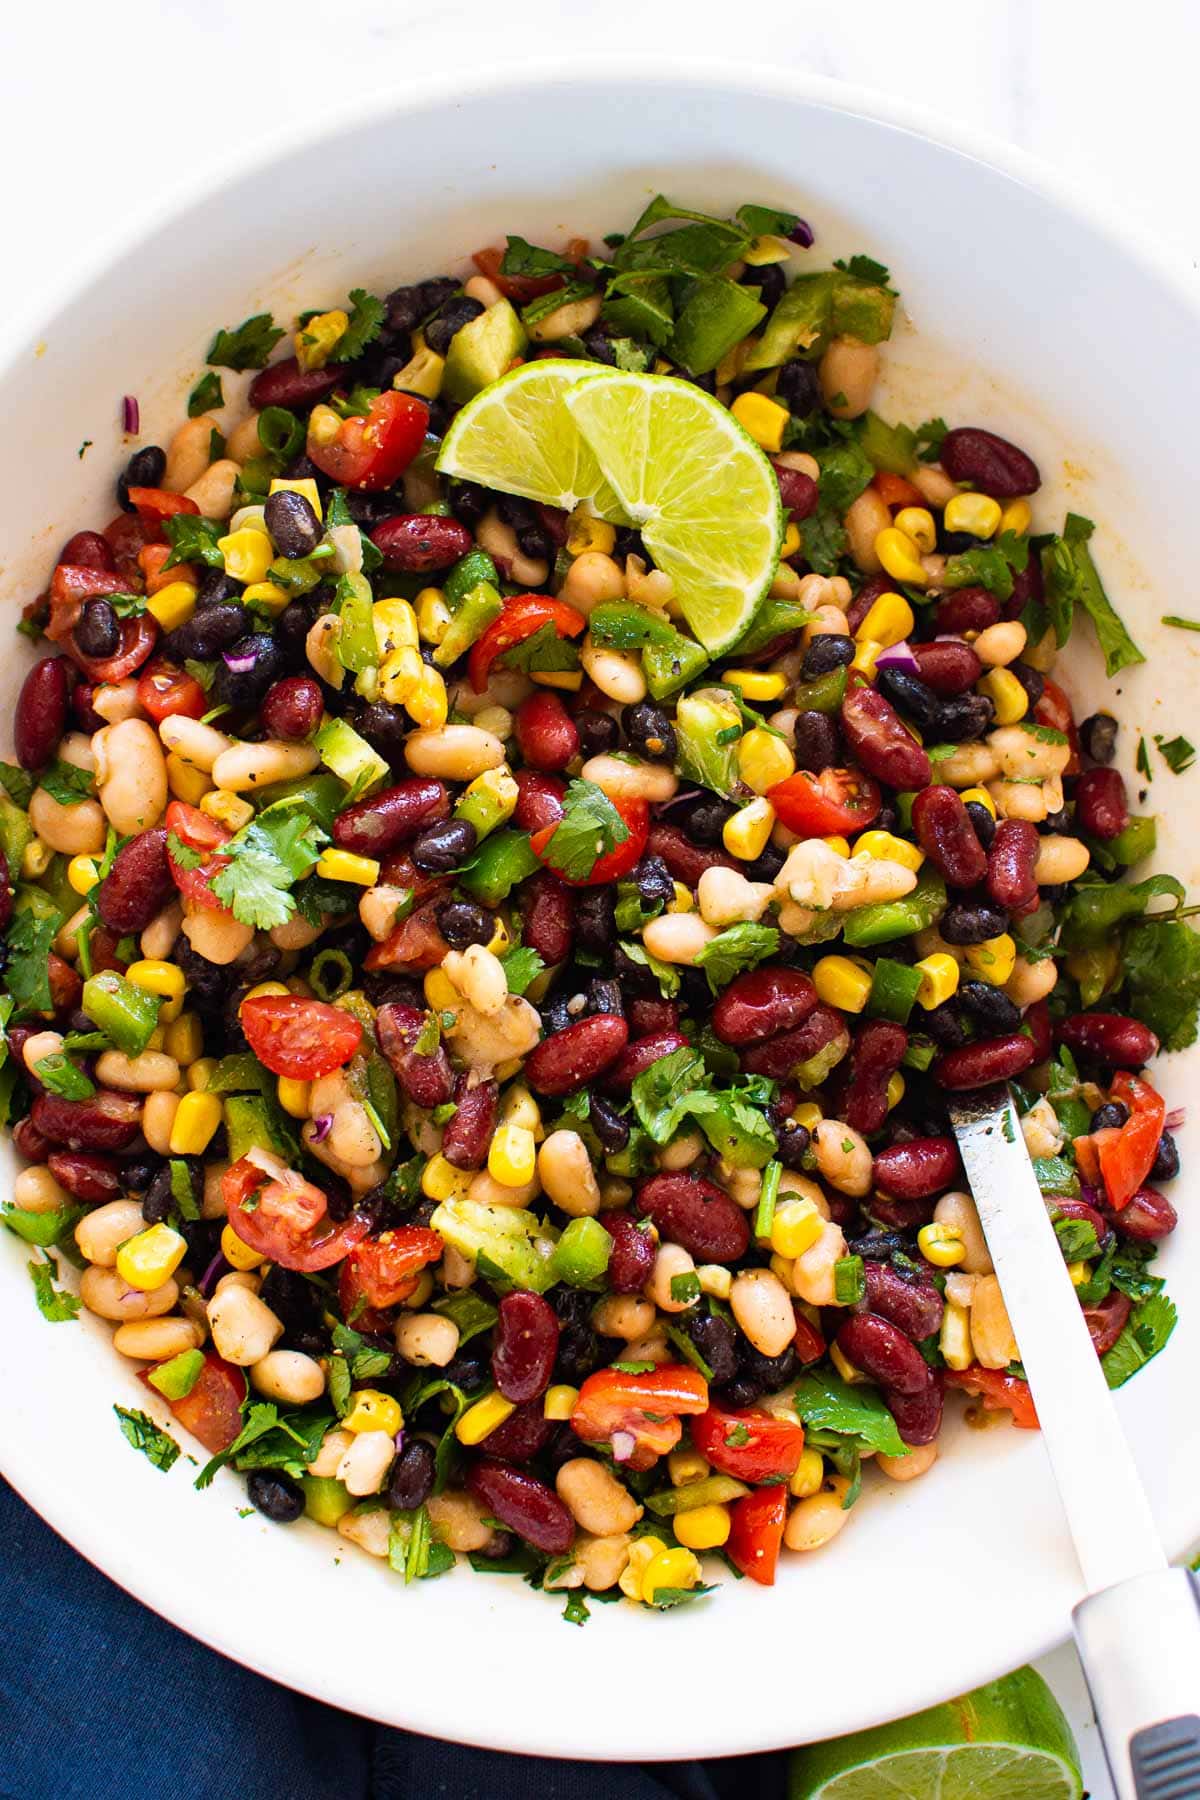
1034, 316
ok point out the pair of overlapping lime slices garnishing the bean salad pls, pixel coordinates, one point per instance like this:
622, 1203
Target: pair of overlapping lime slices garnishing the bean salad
636, 449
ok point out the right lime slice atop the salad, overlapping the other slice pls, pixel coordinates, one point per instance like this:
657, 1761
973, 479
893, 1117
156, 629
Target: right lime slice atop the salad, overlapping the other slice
699, 487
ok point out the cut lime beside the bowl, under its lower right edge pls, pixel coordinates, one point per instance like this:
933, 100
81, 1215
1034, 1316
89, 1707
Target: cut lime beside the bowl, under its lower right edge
1007, 1741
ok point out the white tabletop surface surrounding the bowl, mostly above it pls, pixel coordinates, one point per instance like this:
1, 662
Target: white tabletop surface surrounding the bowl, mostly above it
107, 109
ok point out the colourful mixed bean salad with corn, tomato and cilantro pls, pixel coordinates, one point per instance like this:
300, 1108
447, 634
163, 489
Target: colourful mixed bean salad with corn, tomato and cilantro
488, 1054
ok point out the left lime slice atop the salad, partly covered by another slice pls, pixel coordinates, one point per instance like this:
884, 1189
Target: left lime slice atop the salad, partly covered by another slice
517, 436
